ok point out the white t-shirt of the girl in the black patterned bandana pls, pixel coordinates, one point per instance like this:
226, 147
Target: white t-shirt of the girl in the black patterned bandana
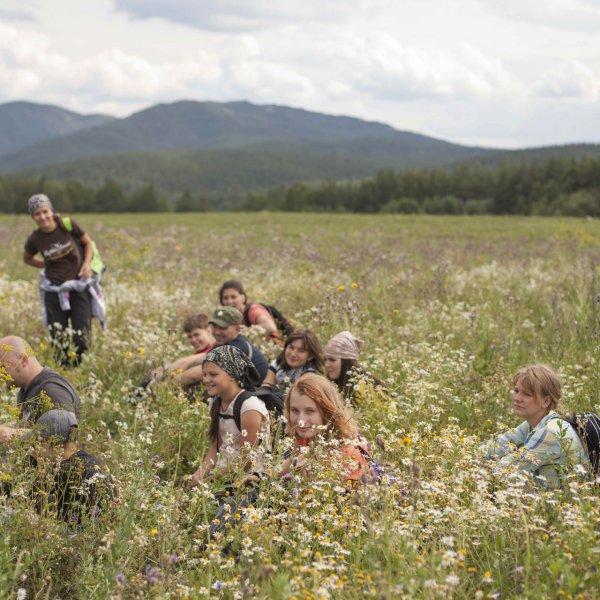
230, 437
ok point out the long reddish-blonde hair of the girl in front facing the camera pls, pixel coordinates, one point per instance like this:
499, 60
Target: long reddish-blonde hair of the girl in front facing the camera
340, 423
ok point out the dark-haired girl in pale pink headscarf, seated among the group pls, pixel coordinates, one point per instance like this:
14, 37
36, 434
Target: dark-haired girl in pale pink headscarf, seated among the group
351, 378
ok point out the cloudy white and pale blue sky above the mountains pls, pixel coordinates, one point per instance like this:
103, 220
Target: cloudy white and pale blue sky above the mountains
497, 73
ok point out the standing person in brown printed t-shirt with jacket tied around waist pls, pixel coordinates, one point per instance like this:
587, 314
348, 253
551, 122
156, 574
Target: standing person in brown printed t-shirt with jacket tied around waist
65, 278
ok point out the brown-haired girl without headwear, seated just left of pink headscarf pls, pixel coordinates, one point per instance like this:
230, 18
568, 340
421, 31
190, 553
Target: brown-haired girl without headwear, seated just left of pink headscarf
301, 353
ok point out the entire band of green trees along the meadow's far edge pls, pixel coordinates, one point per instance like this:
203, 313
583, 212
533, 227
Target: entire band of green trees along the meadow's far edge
552, 186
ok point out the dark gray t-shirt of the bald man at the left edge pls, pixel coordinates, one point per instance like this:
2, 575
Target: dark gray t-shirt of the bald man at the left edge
46, 391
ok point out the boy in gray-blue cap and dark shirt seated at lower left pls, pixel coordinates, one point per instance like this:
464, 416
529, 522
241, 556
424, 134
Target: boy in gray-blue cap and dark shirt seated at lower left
81, 485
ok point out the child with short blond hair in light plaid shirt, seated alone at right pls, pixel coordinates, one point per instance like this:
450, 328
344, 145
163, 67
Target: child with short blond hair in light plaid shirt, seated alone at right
544, 445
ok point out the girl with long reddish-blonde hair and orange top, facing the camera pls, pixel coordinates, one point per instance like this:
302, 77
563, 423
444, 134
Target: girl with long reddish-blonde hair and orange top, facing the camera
315, 413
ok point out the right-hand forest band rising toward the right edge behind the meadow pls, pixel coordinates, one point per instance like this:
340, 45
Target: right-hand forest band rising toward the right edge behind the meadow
553, 186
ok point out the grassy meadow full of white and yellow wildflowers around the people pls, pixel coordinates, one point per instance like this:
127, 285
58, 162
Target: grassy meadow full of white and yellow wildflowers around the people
448, 307
